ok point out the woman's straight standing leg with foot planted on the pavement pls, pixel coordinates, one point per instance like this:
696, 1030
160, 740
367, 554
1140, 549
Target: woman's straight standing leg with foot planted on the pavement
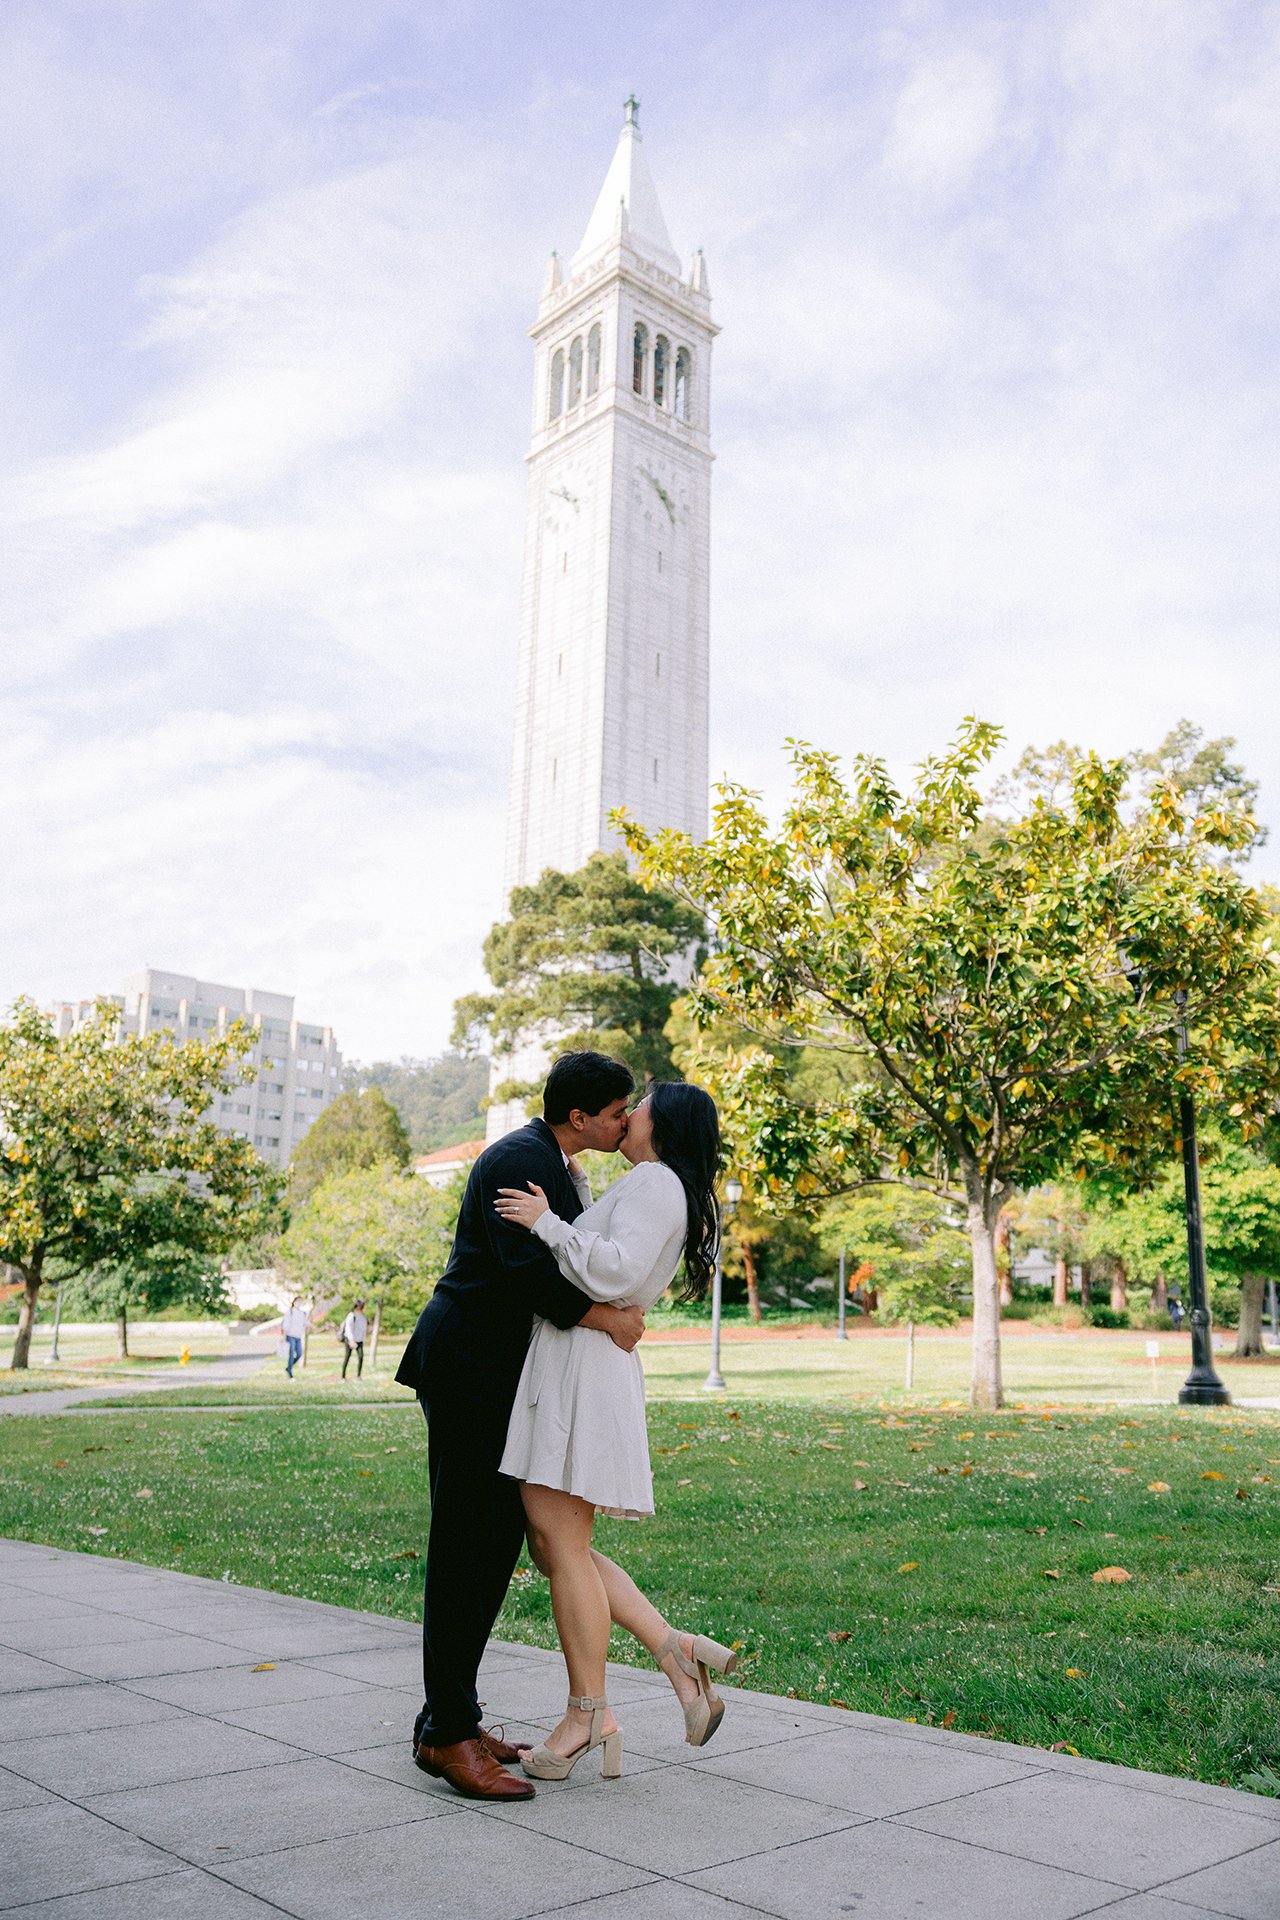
561, 1547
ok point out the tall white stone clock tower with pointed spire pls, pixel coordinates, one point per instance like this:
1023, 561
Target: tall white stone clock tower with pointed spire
613, 669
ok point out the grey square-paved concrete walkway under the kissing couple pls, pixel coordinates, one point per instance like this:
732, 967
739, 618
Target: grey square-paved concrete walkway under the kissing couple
156, 1767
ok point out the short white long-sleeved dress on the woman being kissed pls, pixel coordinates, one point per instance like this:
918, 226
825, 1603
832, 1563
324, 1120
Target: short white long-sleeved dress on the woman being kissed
579, 1422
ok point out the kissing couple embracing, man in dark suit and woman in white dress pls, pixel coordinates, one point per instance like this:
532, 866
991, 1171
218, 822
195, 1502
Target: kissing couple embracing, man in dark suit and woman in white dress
534, 1397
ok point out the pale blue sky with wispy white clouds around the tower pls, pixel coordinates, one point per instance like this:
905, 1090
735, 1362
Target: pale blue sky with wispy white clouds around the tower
995, 412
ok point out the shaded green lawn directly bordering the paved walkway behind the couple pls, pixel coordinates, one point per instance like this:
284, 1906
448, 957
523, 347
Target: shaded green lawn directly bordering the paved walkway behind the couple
934, 1566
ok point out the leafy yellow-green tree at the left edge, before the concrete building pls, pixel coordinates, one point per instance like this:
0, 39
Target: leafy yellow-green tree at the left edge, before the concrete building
107, 1153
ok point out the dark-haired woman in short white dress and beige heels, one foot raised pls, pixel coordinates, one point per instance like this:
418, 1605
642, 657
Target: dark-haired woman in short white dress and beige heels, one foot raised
579, 1441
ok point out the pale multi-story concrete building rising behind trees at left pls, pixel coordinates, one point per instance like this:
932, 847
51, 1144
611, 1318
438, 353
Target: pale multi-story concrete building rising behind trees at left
296, 1070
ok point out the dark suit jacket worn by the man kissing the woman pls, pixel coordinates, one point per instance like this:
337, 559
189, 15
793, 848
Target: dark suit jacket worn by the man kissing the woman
479, 1322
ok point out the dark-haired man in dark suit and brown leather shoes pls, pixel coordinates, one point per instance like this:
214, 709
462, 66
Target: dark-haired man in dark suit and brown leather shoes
463, 1362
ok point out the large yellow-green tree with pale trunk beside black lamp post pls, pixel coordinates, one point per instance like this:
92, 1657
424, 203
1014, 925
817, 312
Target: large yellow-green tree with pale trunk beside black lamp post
1007, 988
